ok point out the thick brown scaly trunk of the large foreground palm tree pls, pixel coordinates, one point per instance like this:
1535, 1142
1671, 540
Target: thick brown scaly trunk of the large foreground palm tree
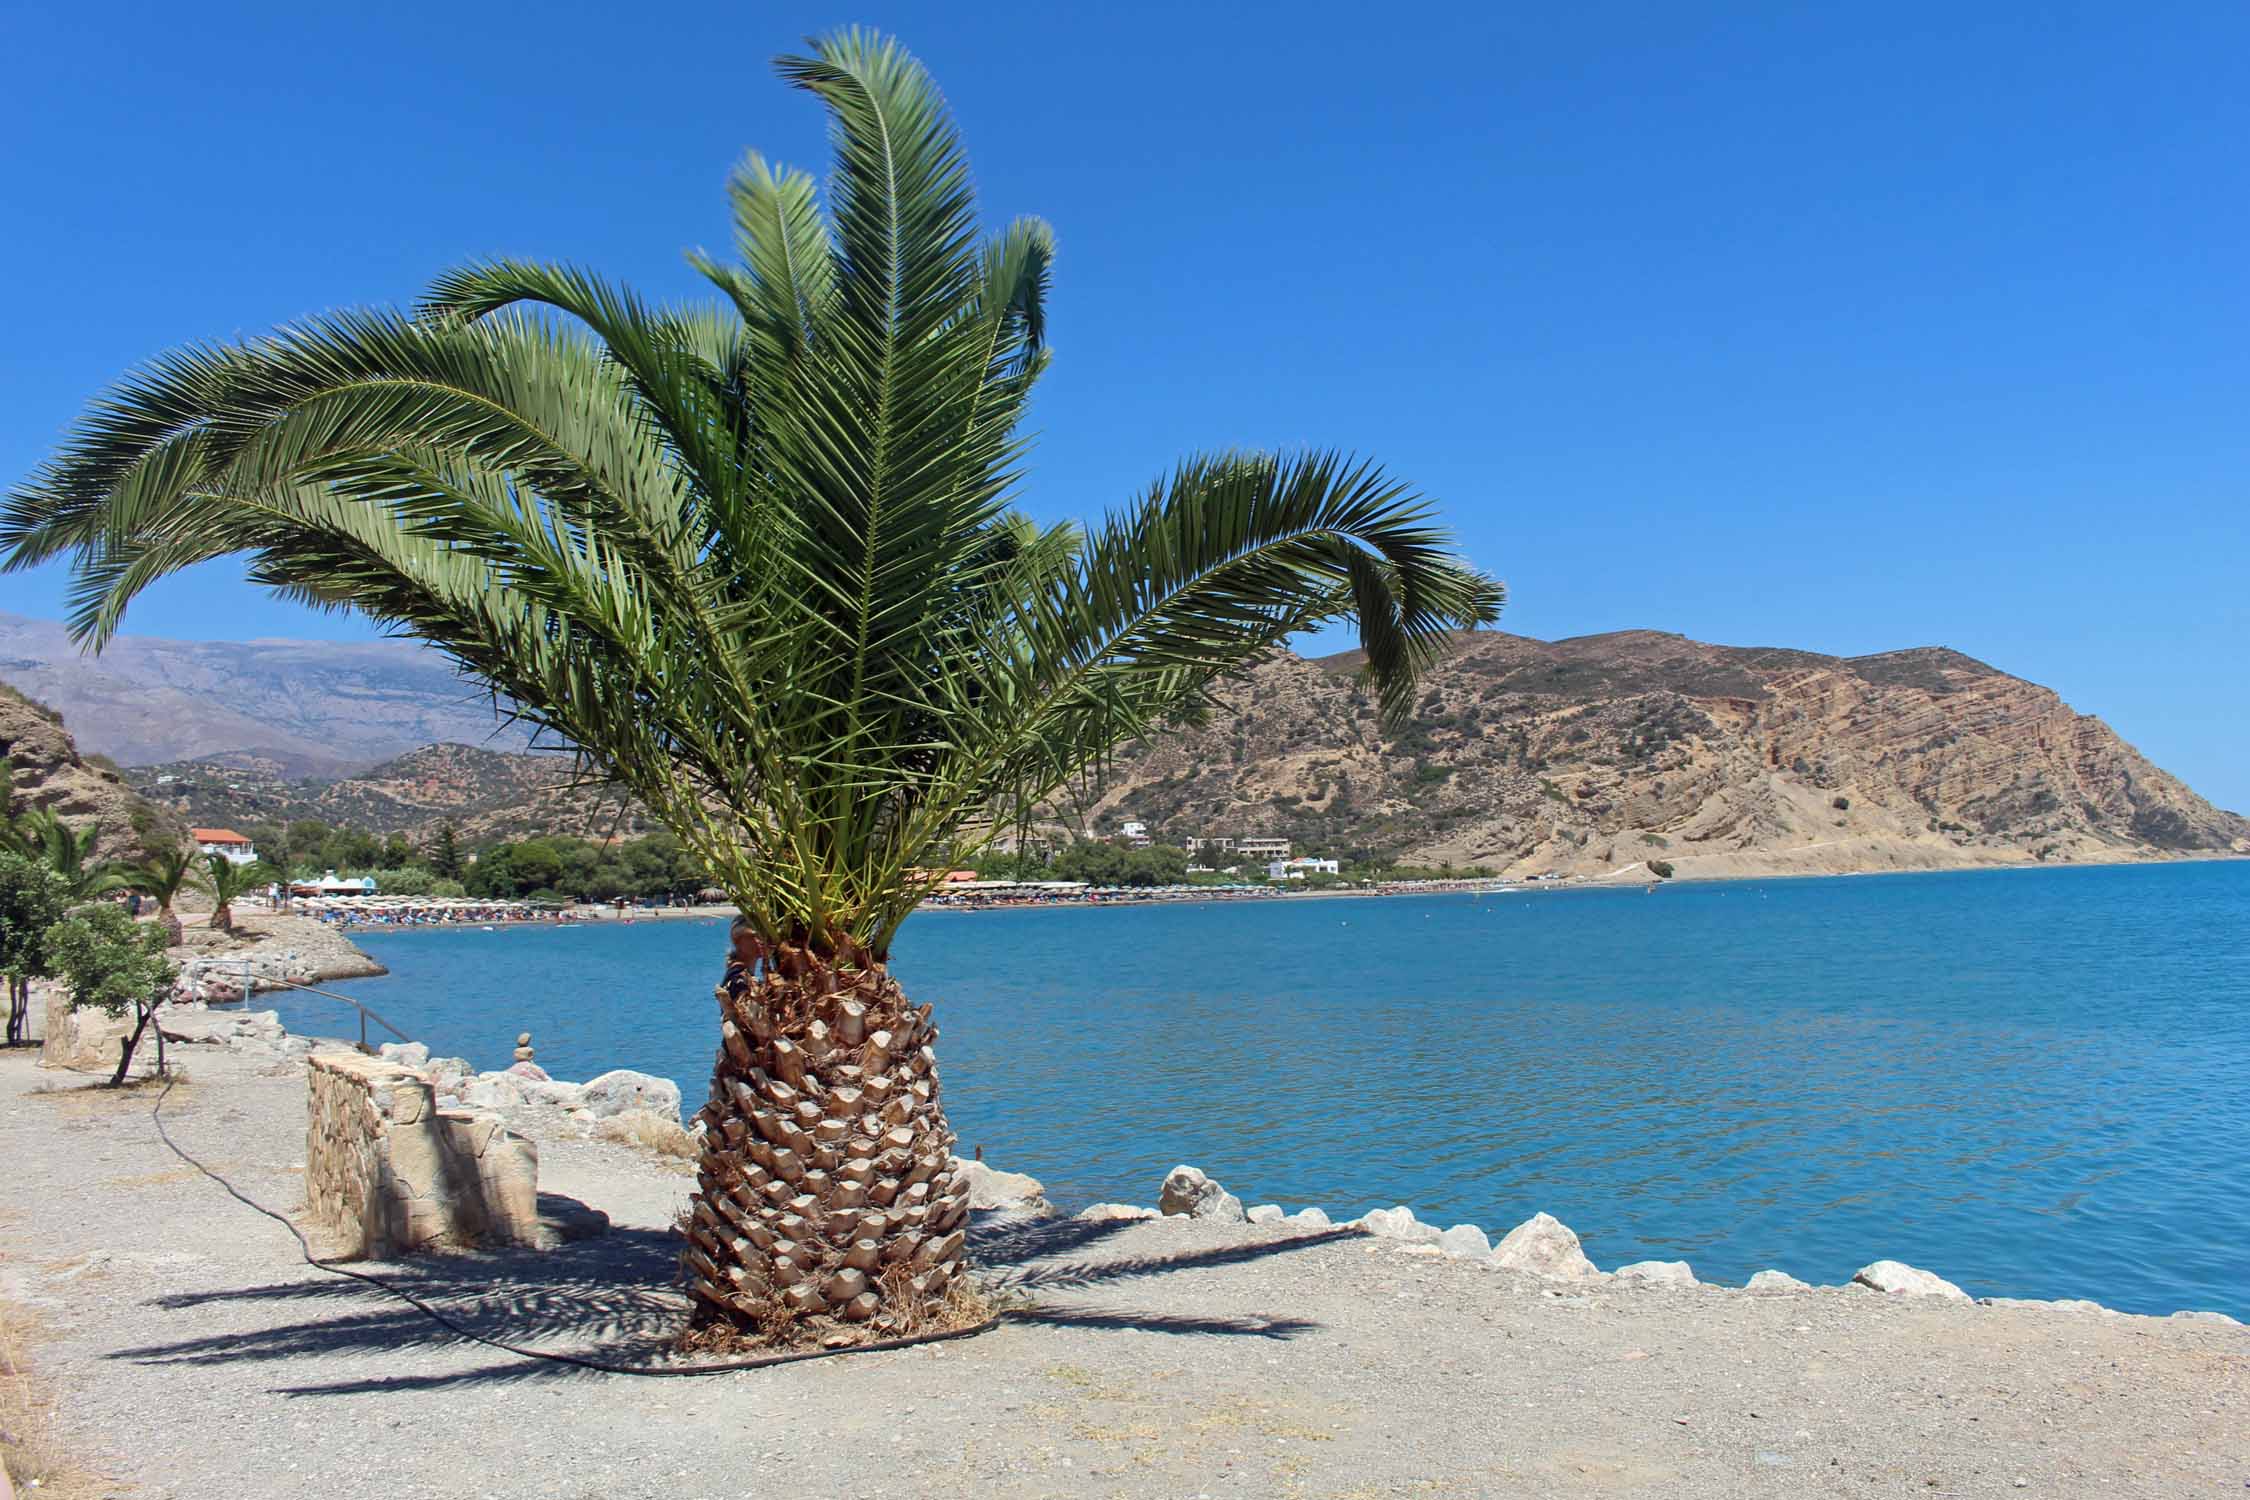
827, 1184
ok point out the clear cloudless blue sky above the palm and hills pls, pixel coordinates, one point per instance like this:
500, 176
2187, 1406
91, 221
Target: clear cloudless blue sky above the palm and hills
1824, 327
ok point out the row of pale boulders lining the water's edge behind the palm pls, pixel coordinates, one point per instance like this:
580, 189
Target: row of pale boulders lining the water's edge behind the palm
645, 1112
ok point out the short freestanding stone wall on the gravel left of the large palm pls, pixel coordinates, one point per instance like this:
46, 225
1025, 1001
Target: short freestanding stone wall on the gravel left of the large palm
393, 1173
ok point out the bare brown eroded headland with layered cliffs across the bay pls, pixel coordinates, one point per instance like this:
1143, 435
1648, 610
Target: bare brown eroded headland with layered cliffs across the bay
1605, 752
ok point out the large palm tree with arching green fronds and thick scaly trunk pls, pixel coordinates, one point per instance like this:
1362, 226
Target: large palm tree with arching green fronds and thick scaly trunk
757, 561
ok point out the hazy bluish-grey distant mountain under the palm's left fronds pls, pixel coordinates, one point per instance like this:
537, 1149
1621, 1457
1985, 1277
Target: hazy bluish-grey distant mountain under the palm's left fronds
309, 707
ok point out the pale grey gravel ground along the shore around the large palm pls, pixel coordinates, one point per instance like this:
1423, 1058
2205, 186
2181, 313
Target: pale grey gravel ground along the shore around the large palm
197, 1355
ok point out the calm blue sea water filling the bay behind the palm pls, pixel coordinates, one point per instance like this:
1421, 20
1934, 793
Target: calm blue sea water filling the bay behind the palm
2035, 1083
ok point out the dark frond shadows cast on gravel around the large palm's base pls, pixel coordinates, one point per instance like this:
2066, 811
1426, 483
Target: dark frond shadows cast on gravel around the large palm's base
613, 1299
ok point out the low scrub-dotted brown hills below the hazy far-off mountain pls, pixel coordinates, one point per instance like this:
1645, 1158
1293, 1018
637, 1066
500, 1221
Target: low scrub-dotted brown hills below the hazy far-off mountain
485, 795
